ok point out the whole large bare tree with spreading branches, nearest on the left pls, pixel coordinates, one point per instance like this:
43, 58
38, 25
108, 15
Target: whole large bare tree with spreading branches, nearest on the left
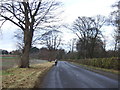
29, 16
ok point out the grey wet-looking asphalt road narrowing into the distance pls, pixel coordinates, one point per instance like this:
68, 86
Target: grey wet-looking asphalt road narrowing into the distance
66, 75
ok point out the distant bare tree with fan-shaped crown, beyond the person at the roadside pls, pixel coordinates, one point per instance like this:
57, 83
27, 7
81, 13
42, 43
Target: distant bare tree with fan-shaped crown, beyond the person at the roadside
52, 40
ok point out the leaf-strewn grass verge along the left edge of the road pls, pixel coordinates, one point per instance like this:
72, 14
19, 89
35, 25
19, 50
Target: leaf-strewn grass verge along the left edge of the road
24, 77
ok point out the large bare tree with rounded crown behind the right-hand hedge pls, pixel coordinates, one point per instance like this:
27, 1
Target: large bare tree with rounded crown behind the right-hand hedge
88, 31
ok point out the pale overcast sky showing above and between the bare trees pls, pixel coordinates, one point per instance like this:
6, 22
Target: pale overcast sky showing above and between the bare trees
72, 9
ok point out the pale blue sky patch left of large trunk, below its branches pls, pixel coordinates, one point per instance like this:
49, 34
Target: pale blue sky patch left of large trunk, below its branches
7, 40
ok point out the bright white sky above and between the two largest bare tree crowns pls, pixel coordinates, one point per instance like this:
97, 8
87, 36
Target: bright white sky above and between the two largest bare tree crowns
86, 8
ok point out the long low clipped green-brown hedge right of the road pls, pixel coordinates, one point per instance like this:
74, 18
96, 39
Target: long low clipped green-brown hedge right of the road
109, 63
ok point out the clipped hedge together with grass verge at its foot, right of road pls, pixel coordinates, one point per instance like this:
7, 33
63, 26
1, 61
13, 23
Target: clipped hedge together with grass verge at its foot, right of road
102, 64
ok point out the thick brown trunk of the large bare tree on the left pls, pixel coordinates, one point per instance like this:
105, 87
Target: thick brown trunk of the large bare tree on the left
28, 34
